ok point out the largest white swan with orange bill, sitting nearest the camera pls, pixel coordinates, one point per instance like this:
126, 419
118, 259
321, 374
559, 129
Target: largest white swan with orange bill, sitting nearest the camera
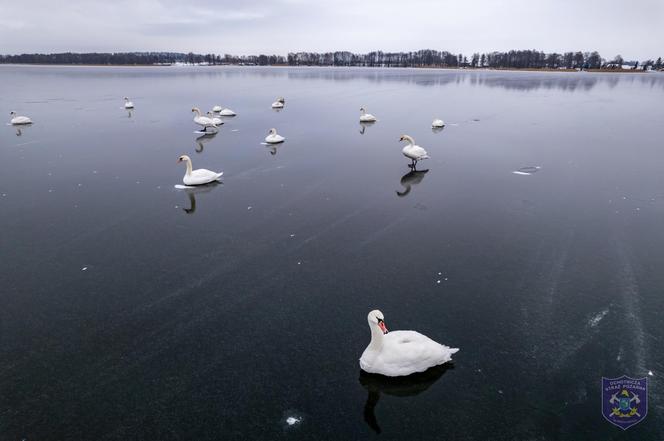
400, 353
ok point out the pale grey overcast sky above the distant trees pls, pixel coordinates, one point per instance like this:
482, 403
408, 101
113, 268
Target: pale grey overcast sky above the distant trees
632, 28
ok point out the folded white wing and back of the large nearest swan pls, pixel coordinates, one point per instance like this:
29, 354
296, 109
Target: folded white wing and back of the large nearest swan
407, 352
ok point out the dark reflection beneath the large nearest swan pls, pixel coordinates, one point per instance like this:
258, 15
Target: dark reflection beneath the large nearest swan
411, 385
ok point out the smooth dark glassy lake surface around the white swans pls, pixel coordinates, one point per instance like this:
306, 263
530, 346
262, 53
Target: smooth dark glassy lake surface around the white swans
217, 313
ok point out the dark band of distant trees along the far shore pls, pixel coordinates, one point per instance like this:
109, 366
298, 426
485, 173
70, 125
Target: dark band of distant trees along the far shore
515, 59
